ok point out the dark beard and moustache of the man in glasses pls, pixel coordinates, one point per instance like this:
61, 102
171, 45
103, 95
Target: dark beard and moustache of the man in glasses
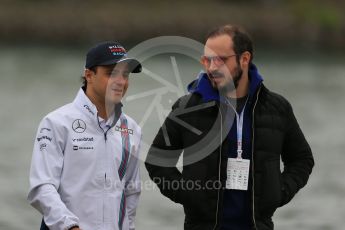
231, 85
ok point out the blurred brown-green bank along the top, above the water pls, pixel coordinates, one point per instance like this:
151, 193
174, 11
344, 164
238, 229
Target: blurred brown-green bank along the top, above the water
312, 23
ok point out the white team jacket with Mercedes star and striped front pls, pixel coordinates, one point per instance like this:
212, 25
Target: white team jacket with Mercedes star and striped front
76, 169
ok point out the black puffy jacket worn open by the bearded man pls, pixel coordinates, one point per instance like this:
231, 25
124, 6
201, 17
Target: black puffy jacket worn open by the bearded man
198, 129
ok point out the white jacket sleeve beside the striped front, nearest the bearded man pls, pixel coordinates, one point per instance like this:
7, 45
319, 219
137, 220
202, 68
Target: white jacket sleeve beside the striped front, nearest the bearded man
133, 186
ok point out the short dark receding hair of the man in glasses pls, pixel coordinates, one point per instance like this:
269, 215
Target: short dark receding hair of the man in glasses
241, 39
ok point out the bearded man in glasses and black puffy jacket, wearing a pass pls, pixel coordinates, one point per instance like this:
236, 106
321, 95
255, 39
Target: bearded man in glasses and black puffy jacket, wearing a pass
233, 132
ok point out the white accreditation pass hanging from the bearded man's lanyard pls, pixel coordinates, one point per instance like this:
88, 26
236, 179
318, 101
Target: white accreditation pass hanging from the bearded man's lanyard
237, 174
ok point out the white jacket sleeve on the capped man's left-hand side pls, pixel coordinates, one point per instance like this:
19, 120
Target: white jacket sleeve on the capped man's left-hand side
45, 174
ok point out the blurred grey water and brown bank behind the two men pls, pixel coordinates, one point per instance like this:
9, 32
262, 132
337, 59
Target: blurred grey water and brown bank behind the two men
300, 55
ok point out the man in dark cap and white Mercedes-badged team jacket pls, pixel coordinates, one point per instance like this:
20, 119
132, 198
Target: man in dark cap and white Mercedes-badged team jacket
85, 169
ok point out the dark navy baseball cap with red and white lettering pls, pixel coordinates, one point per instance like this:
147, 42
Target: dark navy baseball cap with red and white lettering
110, 53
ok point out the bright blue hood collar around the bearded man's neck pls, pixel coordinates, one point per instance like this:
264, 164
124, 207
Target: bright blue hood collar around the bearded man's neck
203, 86
